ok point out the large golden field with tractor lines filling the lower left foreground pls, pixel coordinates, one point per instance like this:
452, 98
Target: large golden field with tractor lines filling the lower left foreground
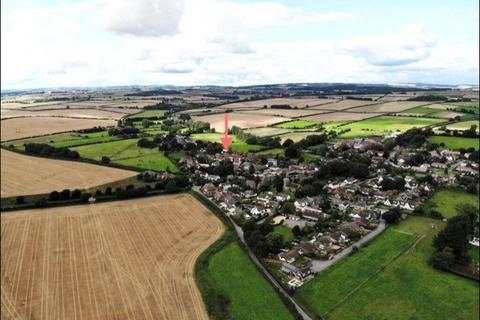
132, 259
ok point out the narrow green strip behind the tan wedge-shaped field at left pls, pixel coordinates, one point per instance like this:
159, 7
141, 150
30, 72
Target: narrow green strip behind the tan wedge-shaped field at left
69, 139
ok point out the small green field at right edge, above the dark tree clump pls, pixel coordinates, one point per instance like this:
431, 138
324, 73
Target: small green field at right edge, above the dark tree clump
446, 201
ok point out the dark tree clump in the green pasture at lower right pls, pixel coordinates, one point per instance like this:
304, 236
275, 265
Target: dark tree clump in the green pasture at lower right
455, 236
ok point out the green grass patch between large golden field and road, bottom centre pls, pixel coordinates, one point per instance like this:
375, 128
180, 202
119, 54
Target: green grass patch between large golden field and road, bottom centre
249, 294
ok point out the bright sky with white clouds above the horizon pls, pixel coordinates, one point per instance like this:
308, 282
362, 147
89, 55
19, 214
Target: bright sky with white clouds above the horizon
52, 43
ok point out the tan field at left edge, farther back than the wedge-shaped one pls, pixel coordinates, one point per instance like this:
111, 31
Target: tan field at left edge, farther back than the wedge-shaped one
35, 126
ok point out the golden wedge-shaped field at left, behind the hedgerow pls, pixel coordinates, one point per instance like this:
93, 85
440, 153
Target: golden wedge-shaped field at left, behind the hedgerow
25, 175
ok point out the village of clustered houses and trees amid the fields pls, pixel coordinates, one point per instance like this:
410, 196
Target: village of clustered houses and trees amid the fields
328, 216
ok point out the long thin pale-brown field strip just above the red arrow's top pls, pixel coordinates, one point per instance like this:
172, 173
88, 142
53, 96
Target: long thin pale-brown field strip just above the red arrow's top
256, 104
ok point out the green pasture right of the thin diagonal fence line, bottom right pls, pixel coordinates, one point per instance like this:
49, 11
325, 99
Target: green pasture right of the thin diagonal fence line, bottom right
409, 288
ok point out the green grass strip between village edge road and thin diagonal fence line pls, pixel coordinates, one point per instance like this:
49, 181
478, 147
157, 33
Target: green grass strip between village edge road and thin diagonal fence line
331, 286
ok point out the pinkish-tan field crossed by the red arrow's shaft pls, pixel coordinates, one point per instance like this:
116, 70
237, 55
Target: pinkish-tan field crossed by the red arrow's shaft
238, 119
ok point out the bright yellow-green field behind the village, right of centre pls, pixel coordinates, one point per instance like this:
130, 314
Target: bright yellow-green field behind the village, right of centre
384, 126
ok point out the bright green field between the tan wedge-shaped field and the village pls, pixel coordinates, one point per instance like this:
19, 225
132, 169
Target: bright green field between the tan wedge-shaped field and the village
126, 152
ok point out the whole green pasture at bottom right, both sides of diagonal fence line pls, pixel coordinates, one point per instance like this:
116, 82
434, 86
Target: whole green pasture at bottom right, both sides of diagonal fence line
350, 289
